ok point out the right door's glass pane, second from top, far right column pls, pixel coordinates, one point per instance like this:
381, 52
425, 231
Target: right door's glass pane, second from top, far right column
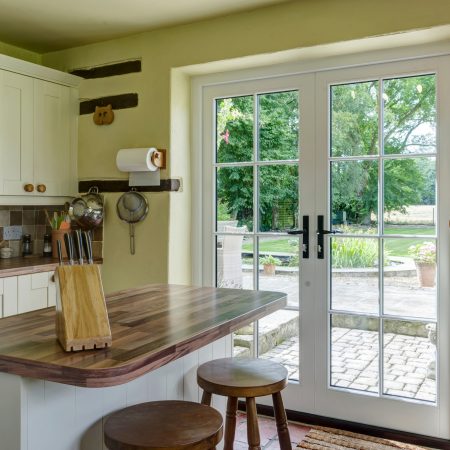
410, 196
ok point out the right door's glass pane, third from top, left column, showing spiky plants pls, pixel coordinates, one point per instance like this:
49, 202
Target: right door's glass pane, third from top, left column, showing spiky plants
355, 274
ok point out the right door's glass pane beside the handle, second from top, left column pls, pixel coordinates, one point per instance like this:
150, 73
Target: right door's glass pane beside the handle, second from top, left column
354, 190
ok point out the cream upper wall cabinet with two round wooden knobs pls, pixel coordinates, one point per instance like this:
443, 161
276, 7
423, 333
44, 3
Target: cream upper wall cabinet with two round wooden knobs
38, 135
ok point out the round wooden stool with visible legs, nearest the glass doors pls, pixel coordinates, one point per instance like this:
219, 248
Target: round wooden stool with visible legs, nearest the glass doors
249, 378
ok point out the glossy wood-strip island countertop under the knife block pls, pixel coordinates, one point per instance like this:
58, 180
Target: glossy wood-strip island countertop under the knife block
151, 326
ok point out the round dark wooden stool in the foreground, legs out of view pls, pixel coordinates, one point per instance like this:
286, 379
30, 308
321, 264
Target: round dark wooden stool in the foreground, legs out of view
169, 425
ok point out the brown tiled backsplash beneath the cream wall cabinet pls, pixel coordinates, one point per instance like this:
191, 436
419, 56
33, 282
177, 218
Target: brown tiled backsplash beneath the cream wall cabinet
33, 221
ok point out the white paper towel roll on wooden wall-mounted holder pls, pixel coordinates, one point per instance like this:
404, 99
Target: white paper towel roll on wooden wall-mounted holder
143, 165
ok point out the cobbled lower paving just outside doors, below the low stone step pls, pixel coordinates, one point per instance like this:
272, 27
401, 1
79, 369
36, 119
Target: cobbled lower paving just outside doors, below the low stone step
355, 362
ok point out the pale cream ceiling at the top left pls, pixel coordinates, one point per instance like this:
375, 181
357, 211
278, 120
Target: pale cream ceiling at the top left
46, 25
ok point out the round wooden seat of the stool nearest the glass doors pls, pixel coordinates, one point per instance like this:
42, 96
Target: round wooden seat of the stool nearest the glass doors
242, 377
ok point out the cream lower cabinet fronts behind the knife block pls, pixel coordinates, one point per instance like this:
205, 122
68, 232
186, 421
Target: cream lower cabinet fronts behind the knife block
25, 293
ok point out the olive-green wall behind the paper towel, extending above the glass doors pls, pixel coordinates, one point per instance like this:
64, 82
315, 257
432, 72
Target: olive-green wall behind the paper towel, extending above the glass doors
163, 240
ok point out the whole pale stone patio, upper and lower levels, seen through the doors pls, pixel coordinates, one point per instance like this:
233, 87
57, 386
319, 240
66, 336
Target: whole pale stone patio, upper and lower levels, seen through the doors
354, 350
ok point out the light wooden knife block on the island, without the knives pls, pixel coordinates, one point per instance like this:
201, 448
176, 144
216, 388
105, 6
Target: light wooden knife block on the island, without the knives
81, 316
